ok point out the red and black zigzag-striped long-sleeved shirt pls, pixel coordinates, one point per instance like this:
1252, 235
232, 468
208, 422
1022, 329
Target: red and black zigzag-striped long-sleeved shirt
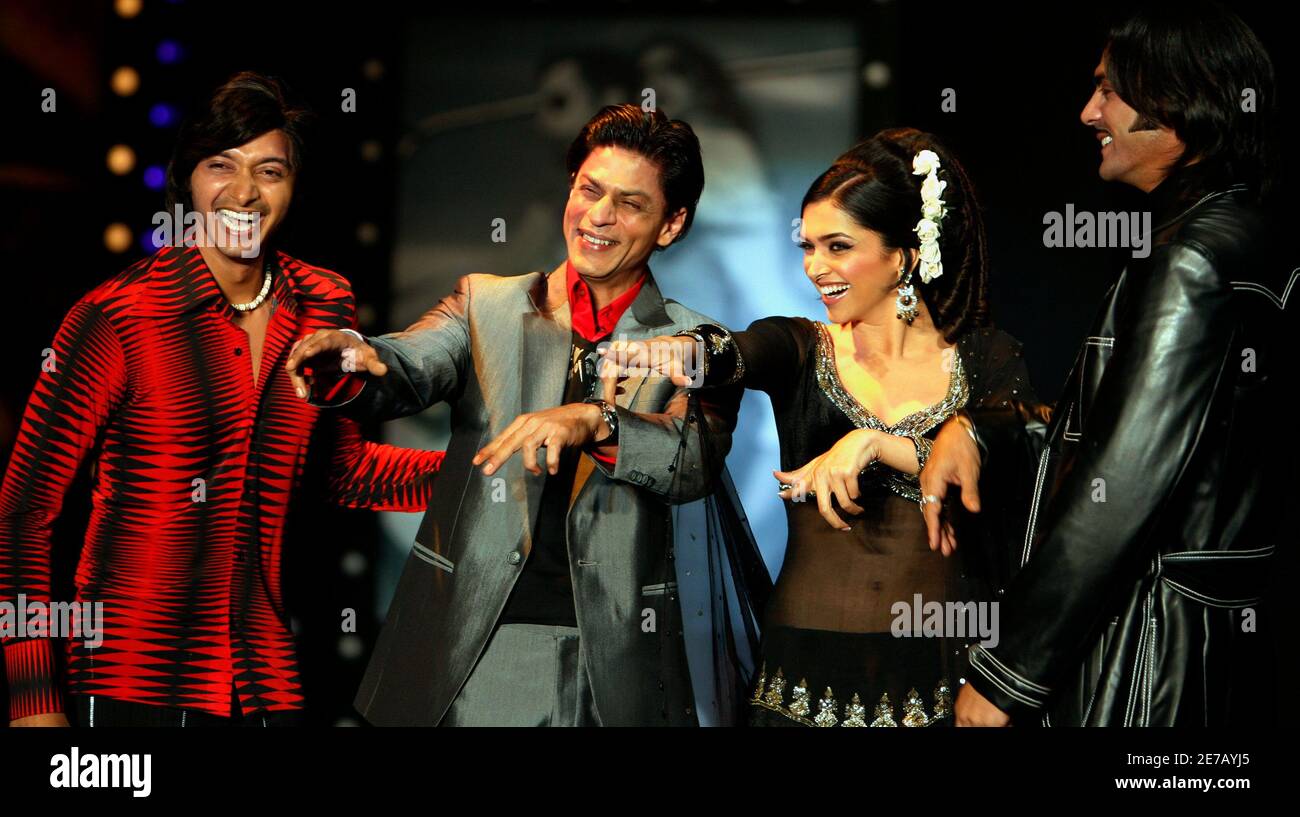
196, 468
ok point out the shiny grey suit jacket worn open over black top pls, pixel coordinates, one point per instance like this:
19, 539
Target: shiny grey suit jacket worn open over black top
495, 349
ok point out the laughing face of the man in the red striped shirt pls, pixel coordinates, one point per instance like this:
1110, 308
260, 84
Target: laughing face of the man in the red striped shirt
244, 193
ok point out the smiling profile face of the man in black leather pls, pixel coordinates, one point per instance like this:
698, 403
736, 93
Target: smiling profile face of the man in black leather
1132, 154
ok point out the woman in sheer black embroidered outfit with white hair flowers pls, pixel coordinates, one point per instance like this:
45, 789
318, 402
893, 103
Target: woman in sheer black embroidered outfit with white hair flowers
895, 244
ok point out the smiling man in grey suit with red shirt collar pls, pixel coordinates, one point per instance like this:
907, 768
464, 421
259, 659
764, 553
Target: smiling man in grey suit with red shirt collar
541, 589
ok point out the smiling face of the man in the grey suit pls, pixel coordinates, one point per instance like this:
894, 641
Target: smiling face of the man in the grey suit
617, 215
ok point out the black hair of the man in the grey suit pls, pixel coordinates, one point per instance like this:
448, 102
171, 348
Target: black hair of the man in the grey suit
671, 145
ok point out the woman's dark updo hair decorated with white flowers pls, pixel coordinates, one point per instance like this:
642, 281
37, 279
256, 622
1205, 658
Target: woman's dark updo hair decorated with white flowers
874, 184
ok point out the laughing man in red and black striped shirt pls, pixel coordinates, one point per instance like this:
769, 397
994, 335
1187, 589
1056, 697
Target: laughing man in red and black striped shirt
171, 378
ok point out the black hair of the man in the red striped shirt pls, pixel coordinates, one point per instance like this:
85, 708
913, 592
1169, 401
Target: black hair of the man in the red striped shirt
244, 109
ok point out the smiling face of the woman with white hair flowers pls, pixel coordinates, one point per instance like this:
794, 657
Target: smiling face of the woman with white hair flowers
850, 265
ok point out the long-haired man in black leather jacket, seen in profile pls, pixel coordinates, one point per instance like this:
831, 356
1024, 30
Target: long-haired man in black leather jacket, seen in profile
1160, 489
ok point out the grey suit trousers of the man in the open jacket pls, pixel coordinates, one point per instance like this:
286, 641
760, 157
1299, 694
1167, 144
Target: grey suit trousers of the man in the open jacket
528, 676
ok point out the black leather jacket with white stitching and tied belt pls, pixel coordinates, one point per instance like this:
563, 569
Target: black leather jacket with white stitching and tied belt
1159, 490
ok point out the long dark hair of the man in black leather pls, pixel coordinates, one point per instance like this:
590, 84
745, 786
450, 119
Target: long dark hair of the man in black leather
1188, 67
